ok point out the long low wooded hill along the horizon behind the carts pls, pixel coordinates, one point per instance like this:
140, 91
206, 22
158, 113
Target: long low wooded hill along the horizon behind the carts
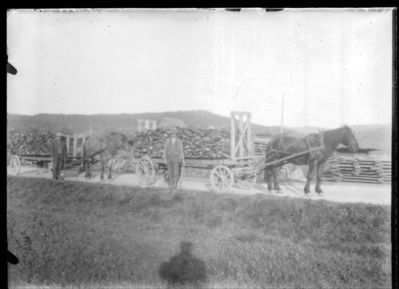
369, 136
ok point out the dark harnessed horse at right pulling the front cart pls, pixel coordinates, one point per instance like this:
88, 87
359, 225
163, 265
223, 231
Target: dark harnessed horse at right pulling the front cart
319, 148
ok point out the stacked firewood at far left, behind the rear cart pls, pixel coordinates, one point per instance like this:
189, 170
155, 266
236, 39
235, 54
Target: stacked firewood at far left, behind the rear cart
29, 144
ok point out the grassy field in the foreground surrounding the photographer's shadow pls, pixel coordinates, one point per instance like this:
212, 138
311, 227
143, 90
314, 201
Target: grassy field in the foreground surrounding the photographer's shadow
96, 235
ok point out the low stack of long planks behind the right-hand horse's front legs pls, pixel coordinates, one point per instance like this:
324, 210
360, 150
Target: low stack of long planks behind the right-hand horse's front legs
347, 169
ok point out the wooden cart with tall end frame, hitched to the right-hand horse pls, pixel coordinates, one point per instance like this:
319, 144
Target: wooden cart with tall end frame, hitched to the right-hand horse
240, 170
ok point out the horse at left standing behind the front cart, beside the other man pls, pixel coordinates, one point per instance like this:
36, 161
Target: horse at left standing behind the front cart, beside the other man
103, 148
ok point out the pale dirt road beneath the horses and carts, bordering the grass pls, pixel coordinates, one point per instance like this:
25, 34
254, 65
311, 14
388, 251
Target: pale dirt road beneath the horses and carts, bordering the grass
336, 192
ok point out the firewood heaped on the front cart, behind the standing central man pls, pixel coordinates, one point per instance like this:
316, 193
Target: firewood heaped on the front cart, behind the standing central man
197, 143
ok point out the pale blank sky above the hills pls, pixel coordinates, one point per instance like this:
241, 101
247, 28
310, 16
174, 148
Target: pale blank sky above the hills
320, 67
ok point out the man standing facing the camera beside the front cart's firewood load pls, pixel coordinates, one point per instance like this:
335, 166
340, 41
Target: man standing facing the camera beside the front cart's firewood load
174, 157
